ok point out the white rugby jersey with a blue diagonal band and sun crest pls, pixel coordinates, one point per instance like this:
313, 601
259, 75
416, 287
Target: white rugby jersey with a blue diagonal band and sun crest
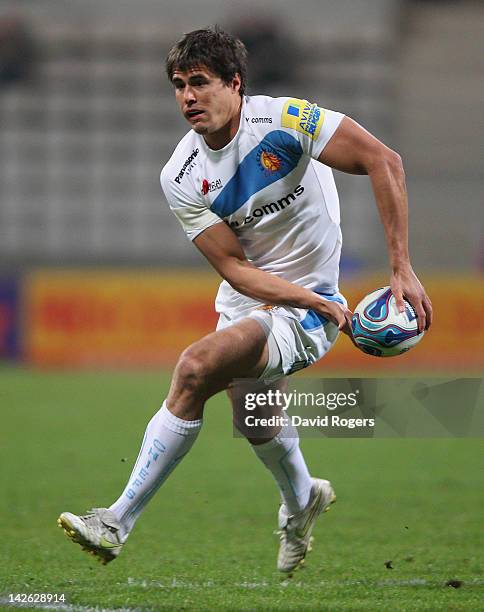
266, 185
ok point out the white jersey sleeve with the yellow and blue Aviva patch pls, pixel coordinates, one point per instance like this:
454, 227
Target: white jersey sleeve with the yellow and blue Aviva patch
312, 125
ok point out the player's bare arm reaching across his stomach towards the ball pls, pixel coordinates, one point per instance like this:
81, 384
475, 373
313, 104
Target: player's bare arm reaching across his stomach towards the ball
222, 248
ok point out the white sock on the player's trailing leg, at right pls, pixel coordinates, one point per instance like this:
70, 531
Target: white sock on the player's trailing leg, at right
283, 457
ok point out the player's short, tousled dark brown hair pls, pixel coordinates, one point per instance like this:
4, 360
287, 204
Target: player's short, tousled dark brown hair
223, 54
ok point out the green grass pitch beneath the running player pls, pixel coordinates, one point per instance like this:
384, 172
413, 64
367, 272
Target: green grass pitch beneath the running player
67, 442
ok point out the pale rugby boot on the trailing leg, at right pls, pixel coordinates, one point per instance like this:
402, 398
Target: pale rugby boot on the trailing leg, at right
295, 531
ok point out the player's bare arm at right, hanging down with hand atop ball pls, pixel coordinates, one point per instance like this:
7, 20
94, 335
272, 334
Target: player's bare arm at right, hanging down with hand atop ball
354, 150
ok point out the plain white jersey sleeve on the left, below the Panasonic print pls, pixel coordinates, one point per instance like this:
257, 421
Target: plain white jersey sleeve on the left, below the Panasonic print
194, 216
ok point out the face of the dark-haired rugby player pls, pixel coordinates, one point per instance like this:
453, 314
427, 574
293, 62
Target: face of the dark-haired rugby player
205, 101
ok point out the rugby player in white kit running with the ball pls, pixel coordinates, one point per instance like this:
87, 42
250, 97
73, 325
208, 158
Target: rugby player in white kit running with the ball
252, 186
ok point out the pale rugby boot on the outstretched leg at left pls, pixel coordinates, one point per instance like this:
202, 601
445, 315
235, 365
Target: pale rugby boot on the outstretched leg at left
98, 532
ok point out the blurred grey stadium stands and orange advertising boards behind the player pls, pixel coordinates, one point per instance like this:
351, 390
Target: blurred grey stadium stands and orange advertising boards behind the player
95, 269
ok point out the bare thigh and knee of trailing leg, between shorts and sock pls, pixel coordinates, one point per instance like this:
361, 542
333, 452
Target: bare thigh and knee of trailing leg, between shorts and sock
243, 395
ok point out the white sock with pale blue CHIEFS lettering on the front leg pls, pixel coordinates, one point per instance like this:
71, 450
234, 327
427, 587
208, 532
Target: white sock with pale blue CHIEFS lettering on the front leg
167, 440
